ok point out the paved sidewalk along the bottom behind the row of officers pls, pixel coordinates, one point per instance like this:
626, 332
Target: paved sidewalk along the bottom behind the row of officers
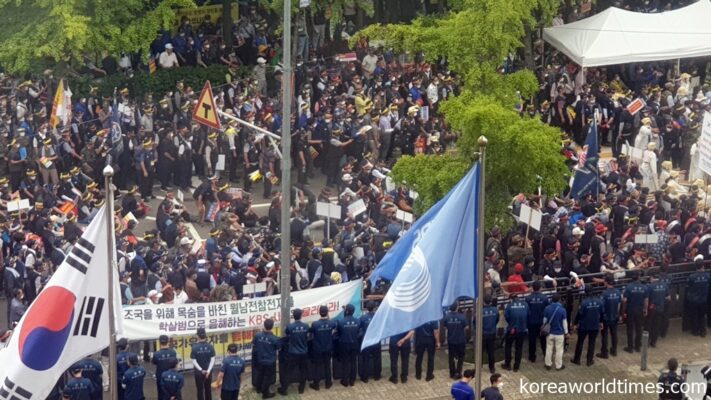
686, 348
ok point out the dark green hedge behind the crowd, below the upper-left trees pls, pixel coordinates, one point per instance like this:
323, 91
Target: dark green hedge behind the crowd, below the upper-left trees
158, 83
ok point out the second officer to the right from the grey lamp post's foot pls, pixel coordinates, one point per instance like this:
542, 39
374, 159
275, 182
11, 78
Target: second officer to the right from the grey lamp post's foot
322, 331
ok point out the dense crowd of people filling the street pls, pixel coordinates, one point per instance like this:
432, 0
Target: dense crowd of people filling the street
352, 120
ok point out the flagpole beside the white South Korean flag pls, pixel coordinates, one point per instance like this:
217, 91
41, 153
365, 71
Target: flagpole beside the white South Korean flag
109, 209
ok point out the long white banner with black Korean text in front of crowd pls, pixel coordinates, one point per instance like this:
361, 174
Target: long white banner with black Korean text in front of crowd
150, 321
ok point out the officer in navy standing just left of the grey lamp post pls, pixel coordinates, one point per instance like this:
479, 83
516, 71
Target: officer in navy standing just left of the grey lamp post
264, 352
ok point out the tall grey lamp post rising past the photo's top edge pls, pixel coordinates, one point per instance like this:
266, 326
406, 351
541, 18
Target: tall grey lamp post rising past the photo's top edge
285, 284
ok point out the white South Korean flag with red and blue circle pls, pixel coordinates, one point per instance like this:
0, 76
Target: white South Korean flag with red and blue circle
69, 319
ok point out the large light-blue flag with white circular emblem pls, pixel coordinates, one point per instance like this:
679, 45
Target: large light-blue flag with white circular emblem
433, 264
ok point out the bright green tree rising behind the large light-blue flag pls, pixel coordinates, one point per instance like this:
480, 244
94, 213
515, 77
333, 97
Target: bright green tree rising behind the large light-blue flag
475, 38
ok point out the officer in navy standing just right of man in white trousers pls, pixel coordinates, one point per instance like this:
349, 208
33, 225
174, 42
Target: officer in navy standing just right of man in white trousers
589, 322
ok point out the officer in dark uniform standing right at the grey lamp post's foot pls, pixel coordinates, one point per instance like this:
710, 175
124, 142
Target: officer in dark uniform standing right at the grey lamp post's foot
297, 334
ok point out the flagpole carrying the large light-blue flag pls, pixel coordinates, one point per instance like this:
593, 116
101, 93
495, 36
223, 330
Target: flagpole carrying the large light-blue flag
479, 339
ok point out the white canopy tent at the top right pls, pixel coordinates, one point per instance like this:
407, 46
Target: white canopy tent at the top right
617, 36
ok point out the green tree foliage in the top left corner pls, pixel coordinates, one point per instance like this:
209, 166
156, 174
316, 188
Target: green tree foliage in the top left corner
32, 31
